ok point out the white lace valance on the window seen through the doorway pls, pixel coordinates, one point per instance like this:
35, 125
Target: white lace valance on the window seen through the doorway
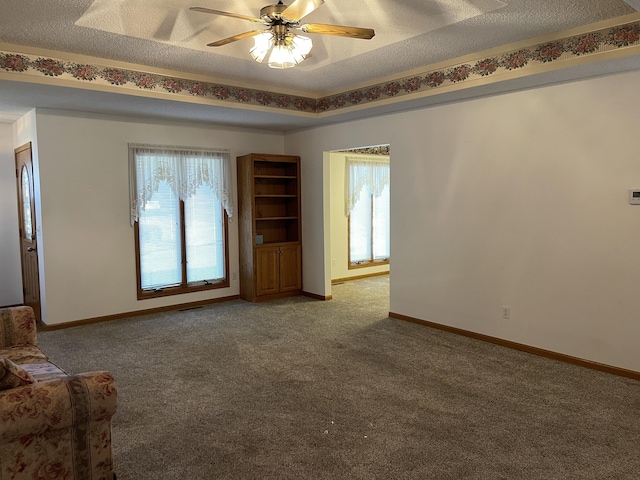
361, 171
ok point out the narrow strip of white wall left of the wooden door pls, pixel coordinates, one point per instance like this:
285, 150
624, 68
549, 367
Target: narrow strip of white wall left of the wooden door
10, 276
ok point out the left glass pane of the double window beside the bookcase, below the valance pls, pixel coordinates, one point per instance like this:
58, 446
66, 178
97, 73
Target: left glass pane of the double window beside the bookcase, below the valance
159, 235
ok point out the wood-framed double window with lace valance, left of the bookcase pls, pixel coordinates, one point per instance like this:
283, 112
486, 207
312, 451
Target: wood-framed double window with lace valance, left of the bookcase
180, 209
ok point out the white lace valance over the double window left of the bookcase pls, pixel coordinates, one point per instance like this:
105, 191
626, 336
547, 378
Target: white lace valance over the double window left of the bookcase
183, 168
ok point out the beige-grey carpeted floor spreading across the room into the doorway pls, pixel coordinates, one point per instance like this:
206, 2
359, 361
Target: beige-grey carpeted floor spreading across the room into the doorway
303, 389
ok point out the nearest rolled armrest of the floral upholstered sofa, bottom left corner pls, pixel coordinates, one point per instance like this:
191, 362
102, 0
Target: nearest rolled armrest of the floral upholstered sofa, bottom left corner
58, 428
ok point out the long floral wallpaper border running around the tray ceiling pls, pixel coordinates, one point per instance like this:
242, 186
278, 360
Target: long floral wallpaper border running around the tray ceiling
591, 43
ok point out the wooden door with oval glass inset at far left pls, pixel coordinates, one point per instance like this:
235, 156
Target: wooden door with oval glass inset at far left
28, 239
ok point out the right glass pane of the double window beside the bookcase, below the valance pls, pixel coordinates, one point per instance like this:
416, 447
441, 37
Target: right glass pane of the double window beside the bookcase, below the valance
204, 236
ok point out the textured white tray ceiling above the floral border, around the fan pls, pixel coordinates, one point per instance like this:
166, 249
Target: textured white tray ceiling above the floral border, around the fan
165, 34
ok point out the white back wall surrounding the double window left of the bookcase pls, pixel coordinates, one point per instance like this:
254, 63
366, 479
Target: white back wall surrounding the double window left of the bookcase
87, 242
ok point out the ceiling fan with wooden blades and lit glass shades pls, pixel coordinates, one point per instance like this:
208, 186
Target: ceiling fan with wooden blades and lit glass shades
287, 49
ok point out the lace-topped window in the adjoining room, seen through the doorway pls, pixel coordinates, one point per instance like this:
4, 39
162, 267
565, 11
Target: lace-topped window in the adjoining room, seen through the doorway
368, 211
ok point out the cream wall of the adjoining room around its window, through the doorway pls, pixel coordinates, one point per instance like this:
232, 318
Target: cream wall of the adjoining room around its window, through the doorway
340, 226
